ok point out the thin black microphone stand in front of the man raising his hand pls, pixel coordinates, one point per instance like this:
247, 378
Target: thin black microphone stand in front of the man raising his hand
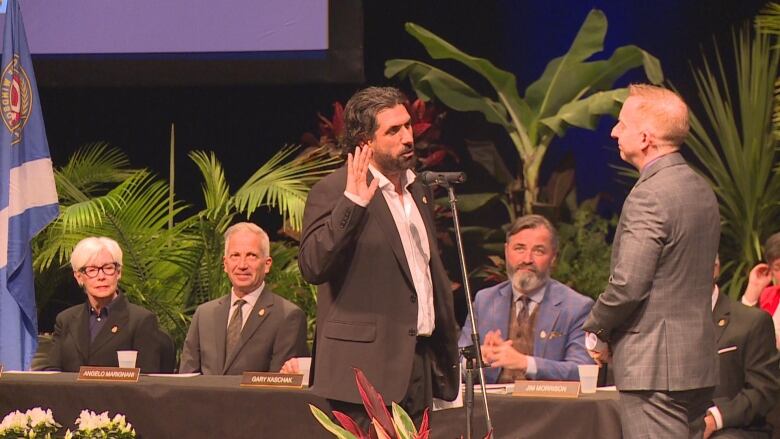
472, 354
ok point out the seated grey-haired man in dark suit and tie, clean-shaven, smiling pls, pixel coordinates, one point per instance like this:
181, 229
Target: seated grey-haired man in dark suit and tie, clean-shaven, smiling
250, 329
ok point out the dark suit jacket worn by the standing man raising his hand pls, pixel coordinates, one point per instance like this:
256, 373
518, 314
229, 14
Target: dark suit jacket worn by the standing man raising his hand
366, 301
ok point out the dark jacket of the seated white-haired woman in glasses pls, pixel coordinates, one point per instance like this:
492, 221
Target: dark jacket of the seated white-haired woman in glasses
128, 327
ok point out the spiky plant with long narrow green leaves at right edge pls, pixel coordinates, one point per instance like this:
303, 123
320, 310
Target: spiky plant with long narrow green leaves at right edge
732, 137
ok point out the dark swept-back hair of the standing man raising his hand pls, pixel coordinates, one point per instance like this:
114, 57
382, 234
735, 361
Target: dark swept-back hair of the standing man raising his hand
361, 110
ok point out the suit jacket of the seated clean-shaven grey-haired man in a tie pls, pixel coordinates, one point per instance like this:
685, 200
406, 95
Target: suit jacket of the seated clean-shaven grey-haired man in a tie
266, 342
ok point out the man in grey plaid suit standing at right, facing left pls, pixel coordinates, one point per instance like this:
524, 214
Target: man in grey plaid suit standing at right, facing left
654, 316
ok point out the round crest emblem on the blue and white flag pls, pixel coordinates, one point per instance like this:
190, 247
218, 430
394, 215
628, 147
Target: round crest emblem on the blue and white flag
15, 98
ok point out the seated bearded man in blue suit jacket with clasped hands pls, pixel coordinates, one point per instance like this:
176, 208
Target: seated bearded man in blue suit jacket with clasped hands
530, 326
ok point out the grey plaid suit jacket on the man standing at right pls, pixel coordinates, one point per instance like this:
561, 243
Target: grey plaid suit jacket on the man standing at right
656, 311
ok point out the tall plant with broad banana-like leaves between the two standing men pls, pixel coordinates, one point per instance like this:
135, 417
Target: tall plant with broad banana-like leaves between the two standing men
573, 91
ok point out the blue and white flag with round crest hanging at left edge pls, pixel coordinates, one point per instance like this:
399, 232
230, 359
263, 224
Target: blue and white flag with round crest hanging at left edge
28, 197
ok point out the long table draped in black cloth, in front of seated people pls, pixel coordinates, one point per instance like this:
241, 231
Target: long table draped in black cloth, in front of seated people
217, 407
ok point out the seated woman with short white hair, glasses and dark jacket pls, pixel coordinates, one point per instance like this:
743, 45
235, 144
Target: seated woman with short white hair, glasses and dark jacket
90, 334
